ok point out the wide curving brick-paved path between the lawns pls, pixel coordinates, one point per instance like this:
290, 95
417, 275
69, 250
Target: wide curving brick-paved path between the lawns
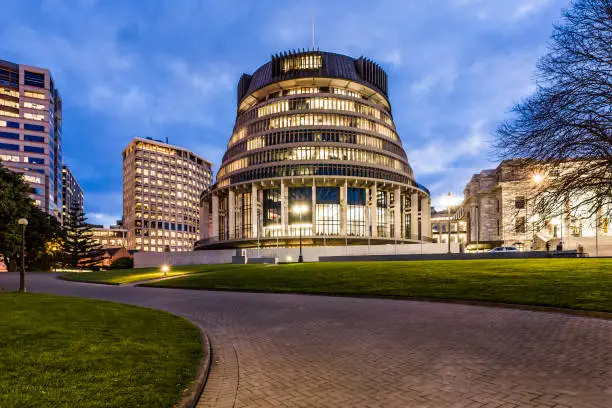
274, 350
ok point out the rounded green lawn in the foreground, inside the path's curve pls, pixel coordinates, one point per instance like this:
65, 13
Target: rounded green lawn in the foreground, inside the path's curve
69, 352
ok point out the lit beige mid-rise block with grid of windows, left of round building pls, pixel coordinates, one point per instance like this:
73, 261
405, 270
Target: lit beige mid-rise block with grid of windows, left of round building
162, 185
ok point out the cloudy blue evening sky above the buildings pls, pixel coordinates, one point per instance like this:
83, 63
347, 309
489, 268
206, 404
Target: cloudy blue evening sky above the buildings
169, 68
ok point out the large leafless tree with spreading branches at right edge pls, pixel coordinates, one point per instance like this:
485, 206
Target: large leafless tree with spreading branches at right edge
565, 127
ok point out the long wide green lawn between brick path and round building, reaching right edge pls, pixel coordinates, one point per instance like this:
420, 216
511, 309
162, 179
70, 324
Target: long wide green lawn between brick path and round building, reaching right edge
567, 283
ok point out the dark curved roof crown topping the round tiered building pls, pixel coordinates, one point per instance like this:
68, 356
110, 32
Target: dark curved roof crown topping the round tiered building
361, 70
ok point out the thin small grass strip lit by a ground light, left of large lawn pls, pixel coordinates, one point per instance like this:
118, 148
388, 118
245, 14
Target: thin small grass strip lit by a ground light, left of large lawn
121, 276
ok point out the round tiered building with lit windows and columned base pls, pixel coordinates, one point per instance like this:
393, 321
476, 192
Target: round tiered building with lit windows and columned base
315, 152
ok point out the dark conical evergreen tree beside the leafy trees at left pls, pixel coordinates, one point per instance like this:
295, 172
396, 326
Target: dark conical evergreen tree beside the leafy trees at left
79, 247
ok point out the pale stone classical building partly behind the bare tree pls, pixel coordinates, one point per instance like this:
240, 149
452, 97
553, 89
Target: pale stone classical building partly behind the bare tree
498, 209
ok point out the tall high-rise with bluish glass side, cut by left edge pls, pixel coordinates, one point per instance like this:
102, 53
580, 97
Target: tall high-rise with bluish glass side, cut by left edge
31, 131
